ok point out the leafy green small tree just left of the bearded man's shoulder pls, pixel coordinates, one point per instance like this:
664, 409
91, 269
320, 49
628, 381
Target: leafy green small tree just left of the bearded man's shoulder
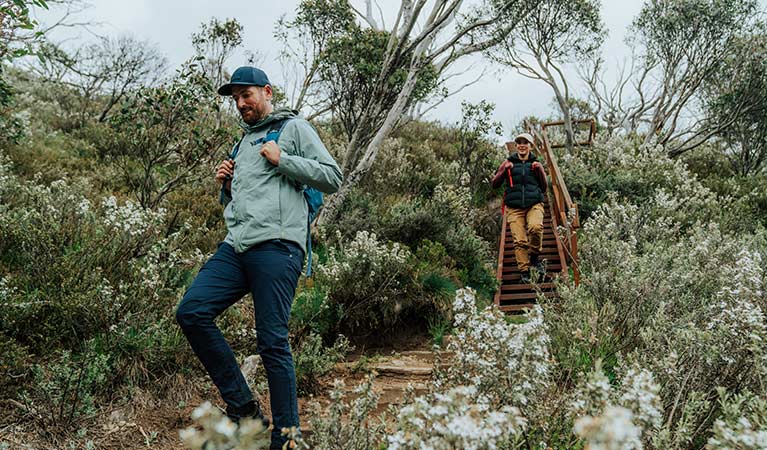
163, 136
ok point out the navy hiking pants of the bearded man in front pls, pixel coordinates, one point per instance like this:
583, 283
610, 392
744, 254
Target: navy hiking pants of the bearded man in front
270, 272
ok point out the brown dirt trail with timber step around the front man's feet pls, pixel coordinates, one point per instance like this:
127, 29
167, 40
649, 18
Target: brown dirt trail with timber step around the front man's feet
150, 422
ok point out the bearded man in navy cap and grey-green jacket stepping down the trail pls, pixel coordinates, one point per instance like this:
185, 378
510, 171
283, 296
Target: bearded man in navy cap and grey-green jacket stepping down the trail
266, 217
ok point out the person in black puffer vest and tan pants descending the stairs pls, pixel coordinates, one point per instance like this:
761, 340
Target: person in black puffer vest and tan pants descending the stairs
524, 205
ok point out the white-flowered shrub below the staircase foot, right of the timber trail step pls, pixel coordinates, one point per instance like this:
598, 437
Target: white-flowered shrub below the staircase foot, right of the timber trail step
508, 363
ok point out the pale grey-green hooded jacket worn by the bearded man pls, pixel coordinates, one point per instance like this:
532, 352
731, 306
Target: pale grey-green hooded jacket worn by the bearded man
267, 201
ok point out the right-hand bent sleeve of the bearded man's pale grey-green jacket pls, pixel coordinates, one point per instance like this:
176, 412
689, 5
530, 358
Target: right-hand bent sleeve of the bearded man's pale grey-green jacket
305, 159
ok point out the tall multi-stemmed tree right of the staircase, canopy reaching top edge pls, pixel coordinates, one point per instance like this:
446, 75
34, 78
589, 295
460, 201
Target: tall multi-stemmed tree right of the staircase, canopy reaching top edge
686, 42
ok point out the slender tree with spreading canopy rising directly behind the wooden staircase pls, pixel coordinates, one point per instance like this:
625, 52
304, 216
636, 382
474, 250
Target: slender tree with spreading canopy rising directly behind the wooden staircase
554, 34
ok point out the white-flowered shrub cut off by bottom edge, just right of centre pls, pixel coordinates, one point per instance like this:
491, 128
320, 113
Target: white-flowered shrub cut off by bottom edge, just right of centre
461, 418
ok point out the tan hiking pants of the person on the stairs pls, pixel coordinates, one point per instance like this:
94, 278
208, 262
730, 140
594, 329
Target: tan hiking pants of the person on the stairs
526, 231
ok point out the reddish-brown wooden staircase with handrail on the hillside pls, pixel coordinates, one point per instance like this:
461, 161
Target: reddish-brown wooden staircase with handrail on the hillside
560, 244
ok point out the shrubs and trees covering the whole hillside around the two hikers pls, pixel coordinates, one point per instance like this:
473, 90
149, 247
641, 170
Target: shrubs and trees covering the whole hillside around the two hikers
108, 208
